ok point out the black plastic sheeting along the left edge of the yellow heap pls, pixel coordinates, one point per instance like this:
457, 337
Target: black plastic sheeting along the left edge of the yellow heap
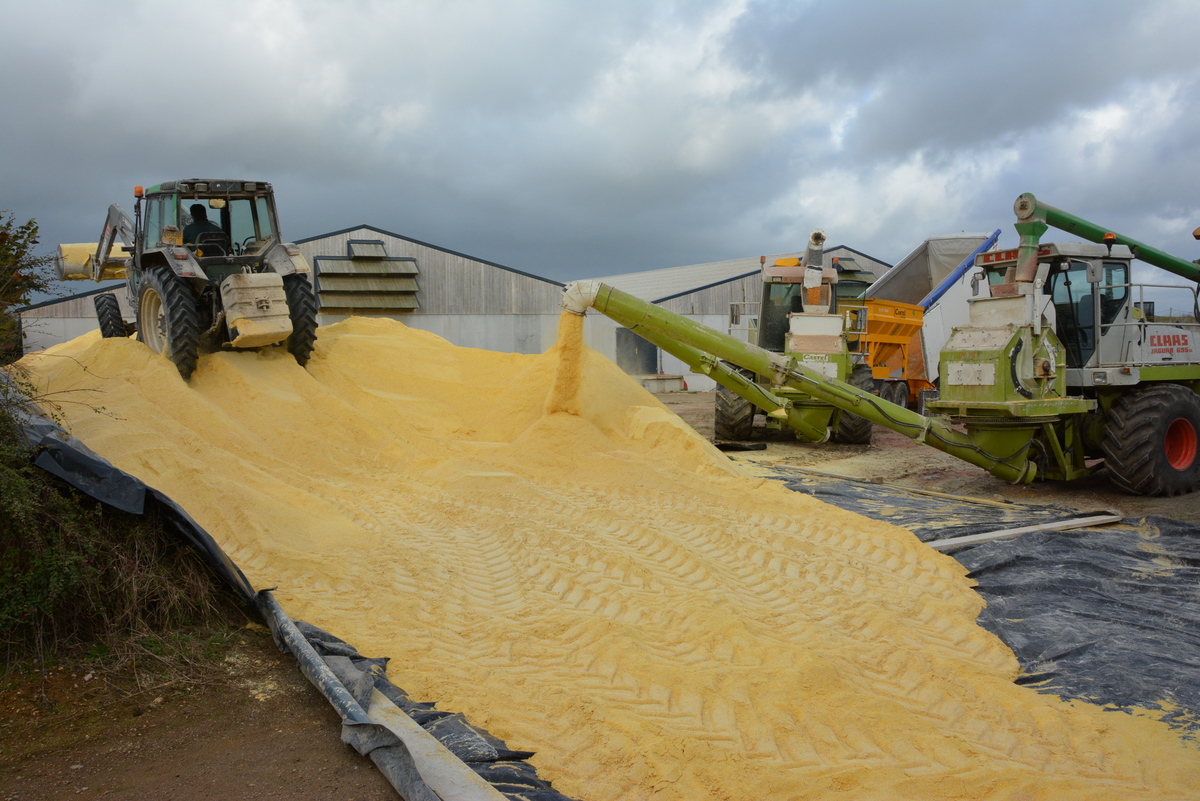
70, 460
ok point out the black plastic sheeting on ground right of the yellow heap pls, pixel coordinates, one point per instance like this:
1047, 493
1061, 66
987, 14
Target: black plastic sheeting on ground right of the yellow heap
1111, 615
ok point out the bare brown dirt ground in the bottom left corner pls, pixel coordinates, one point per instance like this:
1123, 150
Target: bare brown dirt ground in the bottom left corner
255, 730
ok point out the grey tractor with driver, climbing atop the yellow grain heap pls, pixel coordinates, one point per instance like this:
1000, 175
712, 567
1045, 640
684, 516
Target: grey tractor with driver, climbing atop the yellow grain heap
230, 281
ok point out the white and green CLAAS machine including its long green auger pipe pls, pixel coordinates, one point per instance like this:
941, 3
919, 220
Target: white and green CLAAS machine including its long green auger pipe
1061, 371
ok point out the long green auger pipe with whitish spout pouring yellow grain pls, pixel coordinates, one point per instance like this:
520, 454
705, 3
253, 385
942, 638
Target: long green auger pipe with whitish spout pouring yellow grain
659, 326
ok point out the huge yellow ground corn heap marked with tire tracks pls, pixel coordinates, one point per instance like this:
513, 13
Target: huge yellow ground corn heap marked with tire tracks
541, 545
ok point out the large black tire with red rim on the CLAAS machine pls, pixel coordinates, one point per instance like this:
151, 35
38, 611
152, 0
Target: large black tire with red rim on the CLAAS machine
1151, 441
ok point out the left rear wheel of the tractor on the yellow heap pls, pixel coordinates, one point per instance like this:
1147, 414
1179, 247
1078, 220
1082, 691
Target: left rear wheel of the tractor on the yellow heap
167, 320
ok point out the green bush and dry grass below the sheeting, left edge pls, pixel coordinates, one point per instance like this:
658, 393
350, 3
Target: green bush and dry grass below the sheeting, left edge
76, 575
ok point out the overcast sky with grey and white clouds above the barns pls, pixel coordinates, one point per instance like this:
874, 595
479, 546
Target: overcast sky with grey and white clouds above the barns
573, 140
